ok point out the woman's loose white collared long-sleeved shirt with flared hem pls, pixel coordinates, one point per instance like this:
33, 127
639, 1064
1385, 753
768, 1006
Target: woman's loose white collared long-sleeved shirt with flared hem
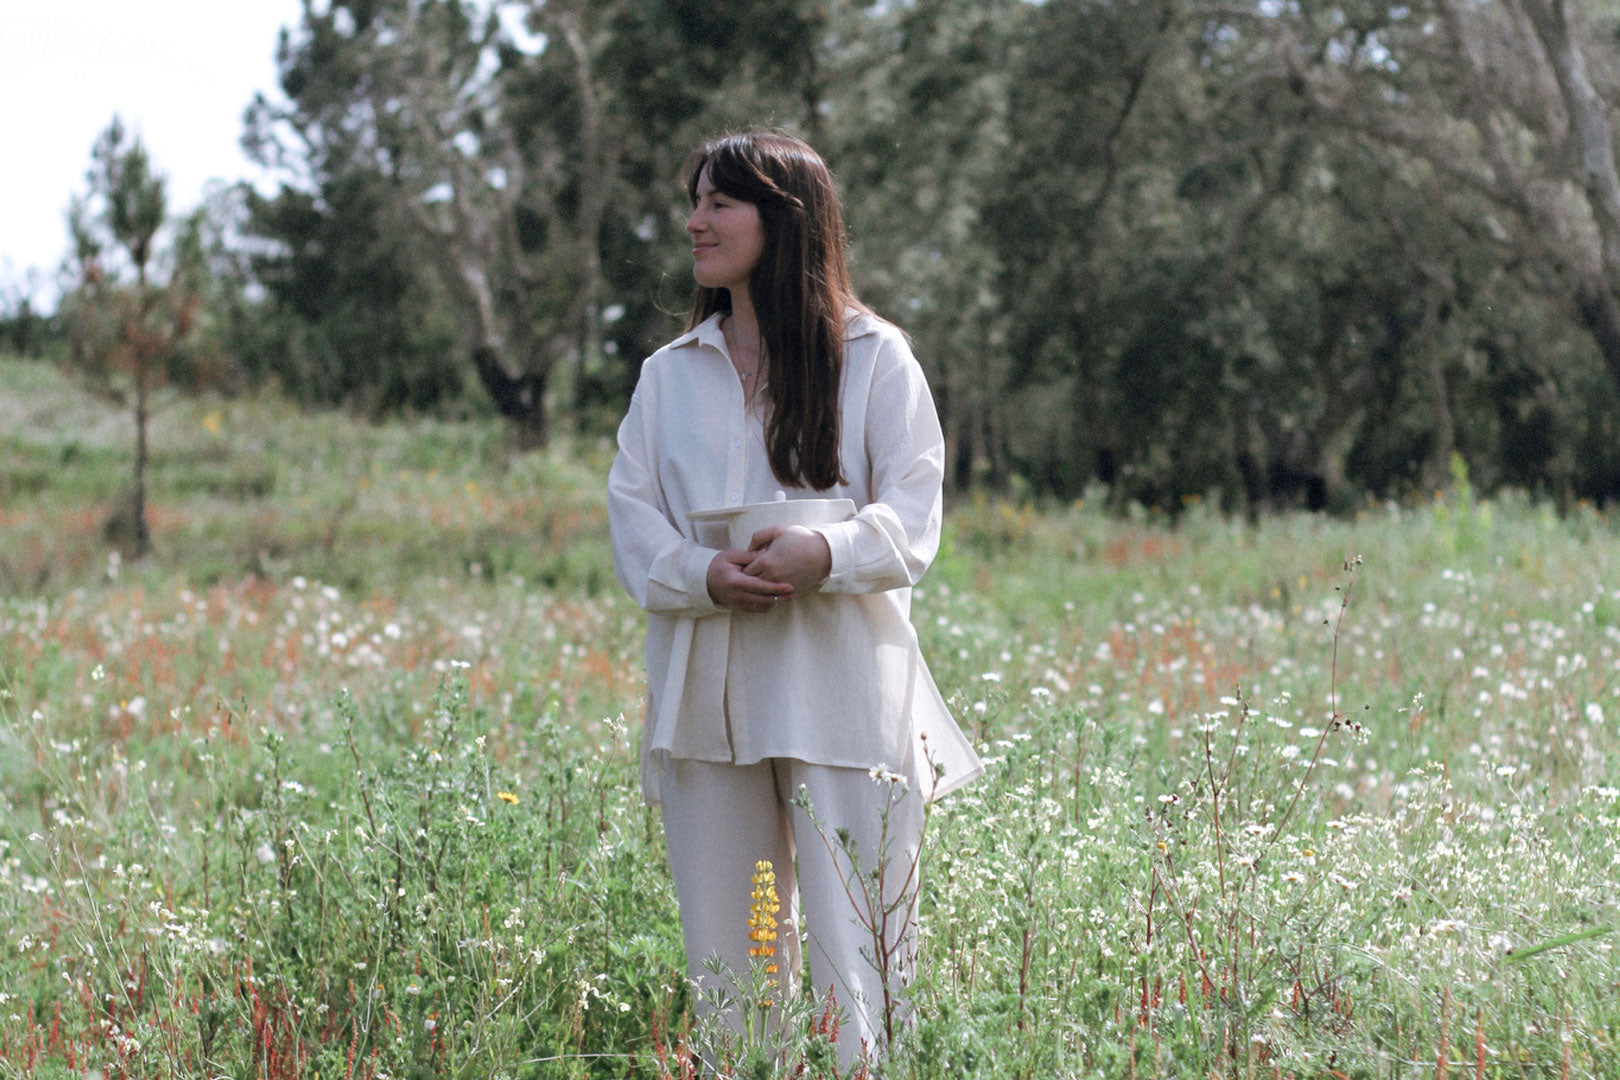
832, 678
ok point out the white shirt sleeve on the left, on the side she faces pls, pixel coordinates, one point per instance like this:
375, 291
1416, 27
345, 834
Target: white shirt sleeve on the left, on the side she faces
660, 569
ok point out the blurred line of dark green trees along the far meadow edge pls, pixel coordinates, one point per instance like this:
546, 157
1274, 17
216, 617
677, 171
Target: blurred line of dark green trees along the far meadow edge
1261, 252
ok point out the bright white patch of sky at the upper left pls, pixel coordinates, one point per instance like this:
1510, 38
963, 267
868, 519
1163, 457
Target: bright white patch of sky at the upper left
179, 72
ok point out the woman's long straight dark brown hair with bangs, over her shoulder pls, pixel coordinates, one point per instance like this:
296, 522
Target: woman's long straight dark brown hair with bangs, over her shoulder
801, 294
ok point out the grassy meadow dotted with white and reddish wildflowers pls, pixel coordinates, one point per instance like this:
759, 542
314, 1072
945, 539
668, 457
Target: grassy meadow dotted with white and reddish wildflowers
343, 781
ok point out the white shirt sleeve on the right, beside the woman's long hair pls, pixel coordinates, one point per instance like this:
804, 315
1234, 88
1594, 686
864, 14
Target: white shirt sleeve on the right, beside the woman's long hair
892, 540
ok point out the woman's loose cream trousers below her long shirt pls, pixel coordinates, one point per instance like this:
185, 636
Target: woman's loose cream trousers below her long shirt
722, 819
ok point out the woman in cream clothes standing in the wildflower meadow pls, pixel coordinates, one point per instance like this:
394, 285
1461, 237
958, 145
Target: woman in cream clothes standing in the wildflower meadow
791, 666
